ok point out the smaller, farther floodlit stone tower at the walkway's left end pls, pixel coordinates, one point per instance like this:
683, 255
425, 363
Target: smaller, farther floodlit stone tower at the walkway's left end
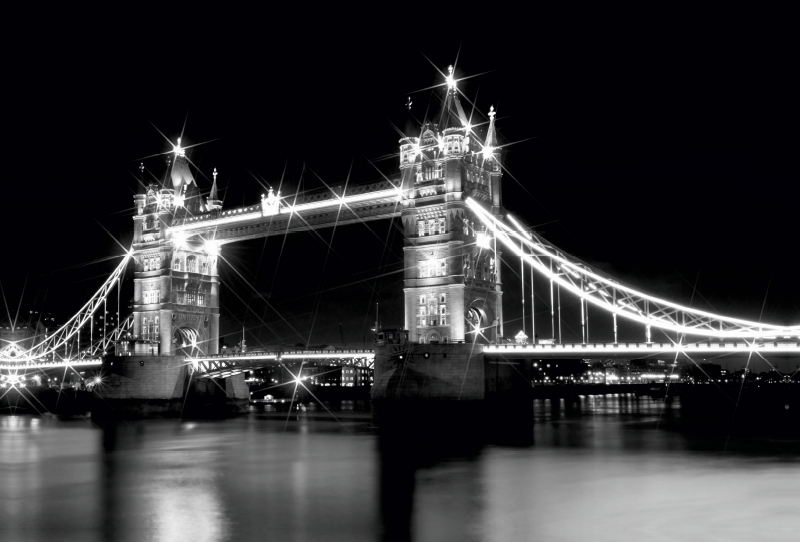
176, 286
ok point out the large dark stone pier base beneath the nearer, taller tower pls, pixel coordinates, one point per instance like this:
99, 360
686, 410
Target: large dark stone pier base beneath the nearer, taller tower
451, 388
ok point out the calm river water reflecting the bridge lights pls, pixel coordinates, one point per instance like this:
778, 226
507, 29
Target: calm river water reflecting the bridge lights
606, 469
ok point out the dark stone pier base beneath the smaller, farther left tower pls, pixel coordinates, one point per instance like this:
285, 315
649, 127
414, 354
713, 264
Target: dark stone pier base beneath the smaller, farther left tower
162, 386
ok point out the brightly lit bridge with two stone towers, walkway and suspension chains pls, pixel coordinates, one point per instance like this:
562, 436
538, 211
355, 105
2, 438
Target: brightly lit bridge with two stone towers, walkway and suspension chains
448, 197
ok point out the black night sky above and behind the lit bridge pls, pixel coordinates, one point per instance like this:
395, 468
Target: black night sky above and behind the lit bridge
666, 158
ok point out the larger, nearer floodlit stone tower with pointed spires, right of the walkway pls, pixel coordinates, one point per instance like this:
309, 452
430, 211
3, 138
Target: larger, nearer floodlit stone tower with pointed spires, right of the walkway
453, 289
